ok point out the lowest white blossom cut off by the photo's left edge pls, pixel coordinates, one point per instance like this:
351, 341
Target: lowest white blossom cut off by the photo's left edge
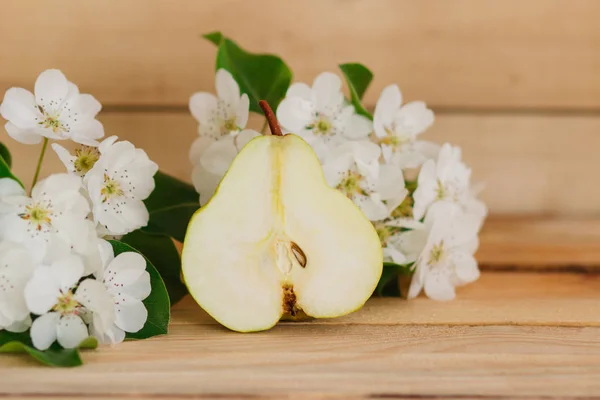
16, 268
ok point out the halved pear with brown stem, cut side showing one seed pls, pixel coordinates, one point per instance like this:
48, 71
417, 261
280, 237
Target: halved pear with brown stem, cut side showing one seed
275, 240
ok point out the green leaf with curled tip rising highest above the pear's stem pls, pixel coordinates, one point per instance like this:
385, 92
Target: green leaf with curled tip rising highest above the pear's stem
260, 76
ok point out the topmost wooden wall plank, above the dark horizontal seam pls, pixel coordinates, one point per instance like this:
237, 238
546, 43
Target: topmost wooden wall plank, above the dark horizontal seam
464, 53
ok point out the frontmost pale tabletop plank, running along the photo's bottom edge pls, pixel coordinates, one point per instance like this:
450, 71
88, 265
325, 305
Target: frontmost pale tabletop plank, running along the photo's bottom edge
373, 362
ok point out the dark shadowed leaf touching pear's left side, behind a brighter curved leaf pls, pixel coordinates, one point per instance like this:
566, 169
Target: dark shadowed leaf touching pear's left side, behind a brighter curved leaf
163, 254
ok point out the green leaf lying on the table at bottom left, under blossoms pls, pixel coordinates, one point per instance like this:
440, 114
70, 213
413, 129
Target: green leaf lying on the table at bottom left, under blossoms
55, 356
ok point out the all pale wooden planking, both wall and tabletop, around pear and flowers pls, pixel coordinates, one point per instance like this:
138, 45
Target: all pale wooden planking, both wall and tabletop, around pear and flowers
516, 83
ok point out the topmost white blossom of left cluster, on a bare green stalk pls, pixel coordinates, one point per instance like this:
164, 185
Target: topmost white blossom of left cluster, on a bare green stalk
56, 111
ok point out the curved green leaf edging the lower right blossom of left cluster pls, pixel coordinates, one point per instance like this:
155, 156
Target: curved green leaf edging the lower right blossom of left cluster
157, 303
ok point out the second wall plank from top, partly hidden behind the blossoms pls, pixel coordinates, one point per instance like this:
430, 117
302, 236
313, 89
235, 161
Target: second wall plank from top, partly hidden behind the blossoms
531, 164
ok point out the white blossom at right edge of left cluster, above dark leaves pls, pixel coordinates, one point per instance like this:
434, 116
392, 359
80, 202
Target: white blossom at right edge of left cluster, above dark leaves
117, 184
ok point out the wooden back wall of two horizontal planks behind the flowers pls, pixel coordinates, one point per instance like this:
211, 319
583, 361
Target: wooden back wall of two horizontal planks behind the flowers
516, 83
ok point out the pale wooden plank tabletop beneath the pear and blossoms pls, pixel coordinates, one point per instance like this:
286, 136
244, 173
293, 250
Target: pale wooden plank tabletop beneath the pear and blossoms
529, 327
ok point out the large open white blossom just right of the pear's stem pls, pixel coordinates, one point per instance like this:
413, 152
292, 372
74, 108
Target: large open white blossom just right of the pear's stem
320, 115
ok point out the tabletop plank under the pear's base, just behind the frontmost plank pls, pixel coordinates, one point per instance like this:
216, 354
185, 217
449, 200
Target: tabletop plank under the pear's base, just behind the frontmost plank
498, 298
